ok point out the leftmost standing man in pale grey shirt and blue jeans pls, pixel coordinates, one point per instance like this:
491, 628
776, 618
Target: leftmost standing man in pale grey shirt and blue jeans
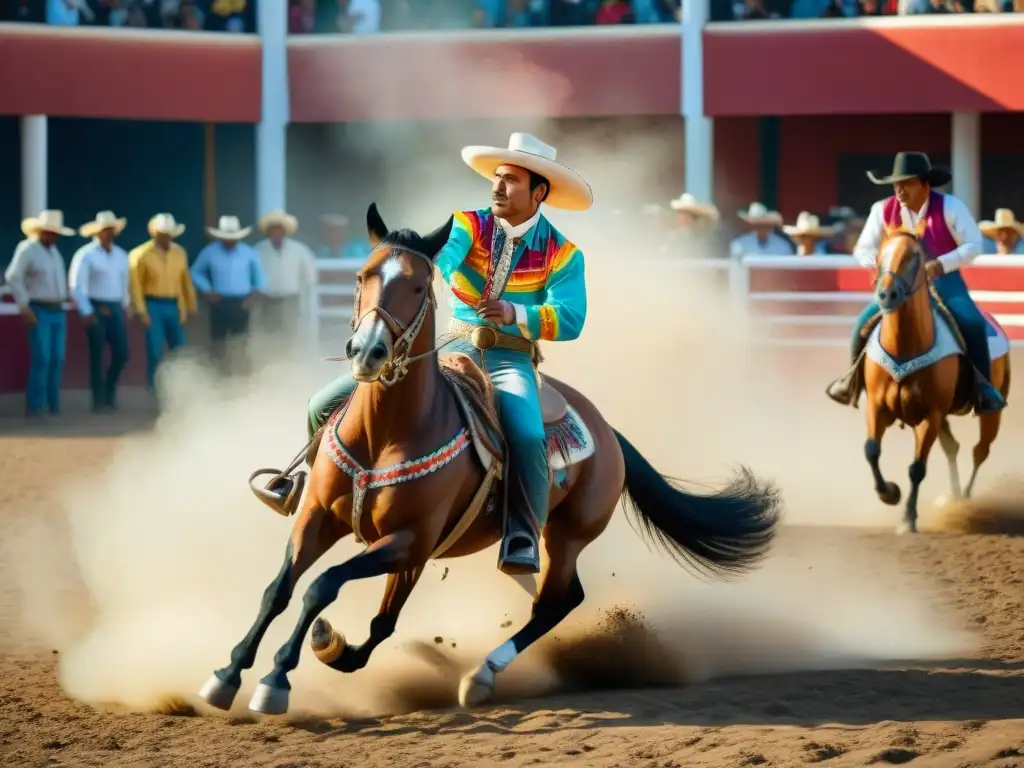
38, 279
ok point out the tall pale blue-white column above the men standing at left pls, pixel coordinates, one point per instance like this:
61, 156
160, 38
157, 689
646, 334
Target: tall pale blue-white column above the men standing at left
273, 130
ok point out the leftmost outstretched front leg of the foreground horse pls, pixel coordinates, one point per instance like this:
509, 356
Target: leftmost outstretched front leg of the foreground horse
316, 531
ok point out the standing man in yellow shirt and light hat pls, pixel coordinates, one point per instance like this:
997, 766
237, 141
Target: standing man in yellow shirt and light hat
162, 291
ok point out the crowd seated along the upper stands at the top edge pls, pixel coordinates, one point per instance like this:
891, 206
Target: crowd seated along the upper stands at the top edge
367, 17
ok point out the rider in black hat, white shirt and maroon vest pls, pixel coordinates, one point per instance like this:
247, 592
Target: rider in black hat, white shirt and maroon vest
951, 239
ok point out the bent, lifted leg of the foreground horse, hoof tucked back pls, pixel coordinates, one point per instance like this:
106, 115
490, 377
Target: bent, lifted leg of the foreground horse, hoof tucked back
330, 646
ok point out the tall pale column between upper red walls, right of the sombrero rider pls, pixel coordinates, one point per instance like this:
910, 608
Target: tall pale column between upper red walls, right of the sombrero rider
699, 131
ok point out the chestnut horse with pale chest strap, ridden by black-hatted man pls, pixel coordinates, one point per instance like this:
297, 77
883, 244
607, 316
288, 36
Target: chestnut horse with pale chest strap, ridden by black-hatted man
917, 374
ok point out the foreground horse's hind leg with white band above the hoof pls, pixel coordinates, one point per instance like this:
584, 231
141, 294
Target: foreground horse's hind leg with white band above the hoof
561, 594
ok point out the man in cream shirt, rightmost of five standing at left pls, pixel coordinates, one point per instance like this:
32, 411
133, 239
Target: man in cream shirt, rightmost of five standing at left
290, 274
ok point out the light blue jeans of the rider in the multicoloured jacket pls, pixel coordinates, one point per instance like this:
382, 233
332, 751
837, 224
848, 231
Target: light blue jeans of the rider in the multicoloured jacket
519, 409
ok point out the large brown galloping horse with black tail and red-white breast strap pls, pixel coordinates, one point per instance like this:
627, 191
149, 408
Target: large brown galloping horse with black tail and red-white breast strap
408, 468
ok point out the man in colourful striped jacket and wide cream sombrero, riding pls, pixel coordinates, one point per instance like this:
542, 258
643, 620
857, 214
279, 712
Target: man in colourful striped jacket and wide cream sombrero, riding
516, 281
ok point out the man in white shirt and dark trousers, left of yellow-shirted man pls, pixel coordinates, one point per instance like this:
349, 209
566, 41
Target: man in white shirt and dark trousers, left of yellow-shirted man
99, 280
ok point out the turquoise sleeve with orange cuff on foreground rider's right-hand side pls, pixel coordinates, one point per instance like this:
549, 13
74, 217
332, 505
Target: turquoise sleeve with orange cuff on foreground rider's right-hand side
562, 316
